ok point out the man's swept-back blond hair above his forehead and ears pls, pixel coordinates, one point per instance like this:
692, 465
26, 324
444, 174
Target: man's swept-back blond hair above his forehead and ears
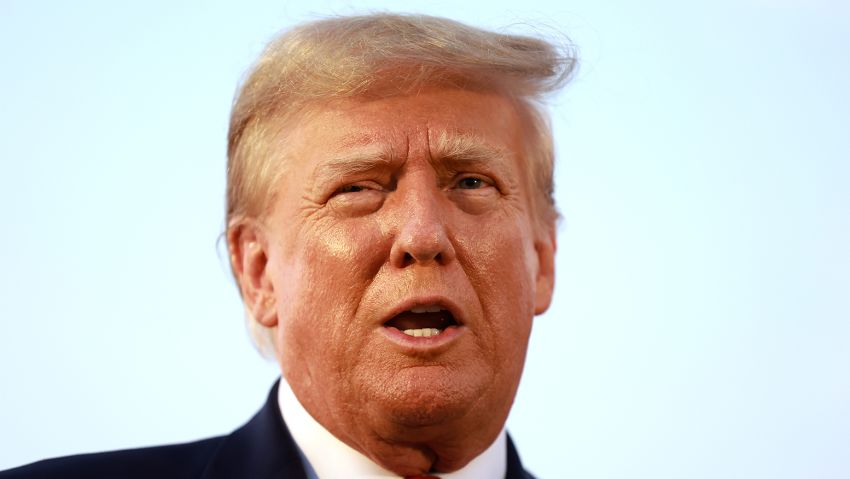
383, 55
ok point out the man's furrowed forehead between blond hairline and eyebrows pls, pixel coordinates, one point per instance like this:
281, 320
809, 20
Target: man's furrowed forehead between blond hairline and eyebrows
404, 125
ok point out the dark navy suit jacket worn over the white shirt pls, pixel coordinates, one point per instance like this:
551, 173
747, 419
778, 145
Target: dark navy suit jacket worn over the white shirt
261, 449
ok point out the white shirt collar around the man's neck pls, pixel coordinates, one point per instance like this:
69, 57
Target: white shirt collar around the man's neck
325, 456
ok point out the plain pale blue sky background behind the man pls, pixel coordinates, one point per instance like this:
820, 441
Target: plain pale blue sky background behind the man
701, 325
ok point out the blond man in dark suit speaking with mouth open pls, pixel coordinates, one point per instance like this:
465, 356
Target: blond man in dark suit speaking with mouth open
391, 228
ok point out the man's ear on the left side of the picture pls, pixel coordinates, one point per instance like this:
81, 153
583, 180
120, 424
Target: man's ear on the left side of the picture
248, 248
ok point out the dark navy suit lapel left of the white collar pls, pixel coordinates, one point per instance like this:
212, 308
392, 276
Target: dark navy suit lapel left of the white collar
261, 449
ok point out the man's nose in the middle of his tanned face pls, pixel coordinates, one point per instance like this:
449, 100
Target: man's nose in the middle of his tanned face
422, 236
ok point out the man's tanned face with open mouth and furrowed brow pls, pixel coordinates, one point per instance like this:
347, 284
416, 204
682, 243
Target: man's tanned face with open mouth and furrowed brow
402, 267
